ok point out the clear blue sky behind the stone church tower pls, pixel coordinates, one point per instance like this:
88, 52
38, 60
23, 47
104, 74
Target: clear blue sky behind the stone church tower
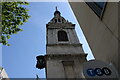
19, 59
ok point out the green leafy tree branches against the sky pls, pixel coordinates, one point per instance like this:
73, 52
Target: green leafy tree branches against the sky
14, 14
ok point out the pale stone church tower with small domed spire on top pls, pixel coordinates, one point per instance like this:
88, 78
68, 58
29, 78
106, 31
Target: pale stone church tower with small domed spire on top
65, 56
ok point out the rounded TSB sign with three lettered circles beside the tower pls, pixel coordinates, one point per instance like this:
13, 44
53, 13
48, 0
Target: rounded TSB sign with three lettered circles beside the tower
99, 69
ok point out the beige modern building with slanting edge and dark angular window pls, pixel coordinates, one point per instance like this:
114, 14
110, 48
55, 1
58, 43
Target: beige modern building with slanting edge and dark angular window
100, 24
